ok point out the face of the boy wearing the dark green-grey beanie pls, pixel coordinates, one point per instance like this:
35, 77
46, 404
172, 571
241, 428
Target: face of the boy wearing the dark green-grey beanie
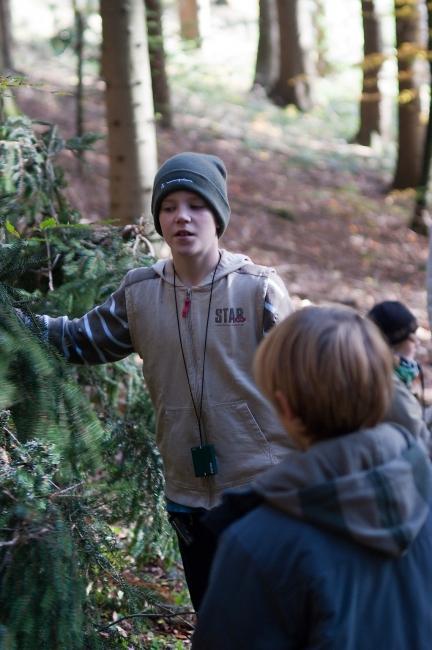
188, 225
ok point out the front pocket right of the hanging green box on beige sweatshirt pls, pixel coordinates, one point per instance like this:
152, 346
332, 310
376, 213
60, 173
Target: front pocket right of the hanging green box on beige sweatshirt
242, 450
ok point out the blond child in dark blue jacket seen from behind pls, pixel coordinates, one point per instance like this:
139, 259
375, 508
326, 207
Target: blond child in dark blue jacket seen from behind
334, 548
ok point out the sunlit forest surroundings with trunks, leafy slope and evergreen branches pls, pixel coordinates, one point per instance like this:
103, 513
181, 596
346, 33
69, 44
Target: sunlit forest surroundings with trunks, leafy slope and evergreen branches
320, 110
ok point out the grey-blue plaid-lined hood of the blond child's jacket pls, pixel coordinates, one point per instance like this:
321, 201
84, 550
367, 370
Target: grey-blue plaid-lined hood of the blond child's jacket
373, 486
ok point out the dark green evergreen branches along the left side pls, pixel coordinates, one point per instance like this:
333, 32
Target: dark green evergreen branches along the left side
76, 443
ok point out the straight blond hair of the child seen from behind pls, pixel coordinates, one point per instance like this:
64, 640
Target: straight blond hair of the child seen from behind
332, 366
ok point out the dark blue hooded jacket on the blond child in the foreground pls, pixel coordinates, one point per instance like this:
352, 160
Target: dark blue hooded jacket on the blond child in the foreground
304, 570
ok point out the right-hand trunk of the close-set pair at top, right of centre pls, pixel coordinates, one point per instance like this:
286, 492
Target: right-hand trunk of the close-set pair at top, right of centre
292, 86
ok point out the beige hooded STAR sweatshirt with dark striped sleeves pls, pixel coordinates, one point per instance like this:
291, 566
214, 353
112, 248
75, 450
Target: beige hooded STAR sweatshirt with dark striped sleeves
140, 317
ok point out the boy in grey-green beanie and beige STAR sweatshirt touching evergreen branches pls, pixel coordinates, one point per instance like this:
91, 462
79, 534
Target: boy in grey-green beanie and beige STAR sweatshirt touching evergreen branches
195, 320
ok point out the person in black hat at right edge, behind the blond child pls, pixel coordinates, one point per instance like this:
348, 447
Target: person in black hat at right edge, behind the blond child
398, 325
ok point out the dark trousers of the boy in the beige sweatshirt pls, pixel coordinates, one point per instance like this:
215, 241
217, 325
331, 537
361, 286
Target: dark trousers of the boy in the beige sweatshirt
197, 548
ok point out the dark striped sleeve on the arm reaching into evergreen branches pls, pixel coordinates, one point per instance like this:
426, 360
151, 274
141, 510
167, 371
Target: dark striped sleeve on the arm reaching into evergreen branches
100, 336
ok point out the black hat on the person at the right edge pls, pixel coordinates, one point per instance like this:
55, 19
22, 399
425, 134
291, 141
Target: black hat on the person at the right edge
394, 320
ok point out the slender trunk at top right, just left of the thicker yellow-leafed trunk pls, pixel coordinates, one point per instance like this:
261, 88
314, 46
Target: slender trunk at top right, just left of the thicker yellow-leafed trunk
370, 103
